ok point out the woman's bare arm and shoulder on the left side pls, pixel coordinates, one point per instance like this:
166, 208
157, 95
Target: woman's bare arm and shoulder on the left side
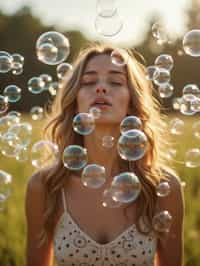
34, 209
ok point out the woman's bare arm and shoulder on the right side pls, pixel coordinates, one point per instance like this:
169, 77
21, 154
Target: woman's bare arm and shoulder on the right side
170, 248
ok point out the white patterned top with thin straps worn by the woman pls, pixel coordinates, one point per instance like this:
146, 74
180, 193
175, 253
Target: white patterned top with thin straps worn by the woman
73, 247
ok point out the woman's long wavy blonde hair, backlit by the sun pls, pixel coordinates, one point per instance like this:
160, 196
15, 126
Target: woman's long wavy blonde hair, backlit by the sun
59, 130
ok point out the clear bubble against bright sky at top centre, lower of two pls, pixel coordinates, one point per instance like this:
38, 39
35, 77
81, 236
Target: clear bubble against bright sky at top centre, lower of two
108, 26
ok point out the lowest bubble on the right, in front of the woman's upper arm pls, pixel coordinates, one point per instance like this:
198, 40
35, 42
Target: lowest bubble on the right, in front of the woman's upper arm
162, 222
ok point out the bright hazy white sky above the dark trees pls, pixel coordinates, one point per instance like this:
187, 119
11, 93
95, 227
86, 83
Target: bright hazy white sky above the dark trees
80, 14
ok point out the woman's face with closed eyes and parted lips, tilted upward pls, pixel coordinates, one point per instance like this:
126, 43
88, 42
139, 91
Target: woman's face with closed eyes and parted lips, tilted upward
104, 85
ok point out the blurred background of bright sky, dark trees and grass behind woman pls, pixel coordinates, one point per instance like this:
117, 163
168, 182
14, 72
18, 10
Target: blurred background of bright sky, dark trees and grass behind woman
22, 22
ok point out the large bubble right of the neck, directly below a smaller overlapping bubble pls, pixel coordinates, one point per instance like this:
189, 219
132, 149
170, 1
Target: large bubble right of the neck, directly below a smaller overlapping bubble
132, 145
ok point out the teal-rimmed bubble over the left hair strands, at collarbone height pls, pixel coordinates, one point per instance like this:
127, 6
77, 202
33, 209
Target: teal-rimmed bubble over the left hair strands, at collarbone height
75, 157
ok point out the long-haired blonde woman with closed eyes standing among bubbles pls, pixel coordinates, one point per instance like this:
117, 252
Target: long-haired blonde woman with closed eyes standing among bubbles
66, 219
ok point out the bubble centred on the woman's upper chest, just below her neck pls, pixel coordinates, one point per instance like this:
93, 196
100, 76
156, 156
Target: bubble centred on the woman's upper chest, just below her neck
93, 176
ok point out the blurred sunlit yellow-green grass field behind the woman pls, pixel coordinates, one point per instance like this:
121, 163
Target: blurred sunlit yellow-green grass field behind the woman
12, 219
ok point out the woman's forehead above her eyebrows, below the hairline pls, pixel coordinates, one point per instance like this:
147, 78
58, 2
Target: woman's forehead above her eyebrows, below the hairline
102, 64
